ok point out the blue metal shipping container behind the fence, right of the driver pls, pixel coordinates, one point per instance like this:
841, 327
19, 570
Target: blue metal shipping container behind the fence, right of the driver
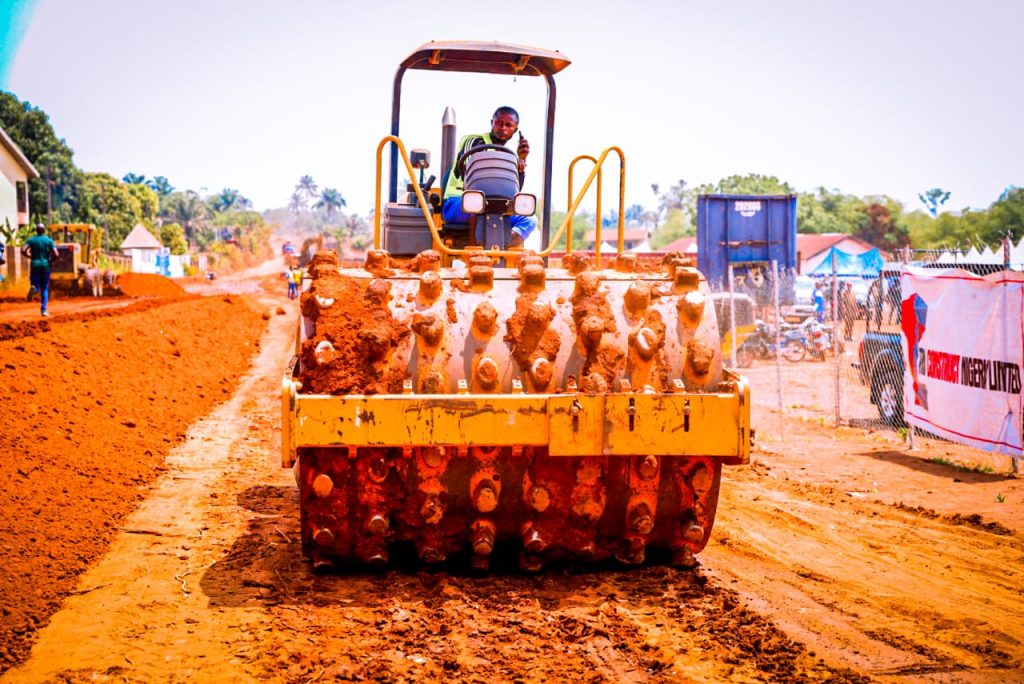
746, 231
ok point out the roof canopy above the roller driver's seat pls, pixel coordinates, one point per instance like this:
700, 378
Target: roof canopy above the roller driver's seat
487, 58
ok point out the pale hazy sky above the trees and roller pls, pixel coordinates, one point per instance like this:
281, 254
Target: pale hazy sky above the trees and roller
865, 97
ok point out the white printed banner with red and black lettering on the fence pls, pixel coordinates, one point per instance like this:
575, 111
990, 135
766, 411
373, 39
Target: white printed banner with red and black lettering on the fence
963, 348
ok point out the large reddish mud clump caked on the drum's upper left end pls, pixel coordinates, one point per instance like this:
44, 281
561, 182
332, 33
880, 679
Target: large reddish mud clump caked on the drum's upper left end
355, 336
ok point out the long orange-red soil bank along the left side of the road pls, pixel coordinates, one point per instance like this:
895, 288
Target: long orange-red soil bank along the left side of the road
91, 409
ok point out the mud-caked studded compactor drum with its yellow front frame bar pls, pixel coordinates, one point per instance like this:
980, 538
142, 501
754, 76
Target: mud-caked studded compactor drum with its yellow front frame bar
563, 413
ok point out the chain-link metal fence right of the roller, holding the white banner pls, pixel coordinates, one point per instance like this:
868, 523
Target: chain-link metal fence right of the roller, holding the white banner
834, 356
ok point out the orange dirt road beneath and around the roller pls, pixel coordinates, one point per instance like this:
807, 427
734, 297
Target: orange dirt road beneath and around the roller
837, 558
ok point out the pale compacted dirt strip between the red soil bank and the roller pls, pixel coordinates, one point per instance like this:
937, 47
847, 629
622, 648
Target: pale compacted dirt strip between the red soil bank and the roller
139, 614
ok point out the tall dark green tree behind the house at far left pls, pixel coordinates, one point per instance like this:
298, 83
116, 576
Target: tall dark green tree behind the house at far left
30, 129
